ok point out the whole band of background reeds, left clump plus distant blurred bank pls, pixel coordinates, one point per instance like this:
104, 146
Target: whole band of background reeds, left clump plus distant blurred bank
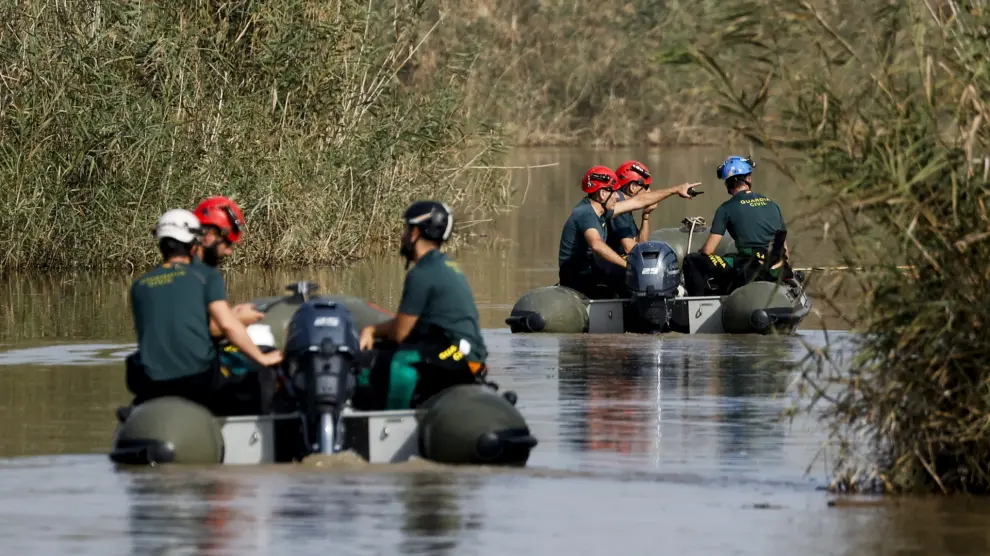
323, 118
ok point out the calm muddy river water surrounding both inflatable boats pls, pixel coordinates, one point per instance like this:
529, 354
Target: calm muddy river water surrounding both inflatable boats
648, 444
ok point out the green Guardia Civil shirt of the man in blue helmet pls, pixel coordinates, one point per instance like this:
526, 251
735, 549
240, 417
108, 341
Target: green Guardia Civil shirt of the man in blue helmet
750, 218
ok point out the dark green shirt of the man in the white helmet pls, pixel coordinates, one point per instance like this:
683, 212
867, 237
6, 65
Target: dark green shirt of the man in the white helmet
169, 304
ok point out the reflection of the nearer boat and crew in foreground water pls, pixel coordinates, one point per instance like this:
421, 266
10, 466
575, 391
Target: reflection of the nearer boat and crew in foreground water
300, 510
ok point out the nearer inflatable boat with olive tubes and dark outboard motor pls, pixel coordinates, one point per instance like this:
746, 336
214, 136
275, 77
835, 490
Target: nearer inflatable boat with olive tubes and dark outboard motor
312, 412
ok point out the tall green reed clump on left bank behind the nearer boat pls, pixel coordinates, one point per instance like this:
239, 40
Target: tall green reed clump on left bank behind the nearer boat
112, 112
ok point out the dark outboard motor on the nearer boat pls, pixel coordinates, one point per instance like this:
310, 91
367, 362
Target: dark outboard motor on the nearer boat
321, 351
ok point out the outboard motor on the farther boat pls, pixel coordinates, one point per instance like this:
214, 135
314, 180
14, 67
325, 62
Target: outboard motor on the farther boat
652, 277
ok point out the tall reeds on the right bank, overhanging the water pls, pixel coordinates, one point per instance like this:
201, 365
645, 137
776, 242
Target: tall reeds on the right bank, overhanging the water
890, 127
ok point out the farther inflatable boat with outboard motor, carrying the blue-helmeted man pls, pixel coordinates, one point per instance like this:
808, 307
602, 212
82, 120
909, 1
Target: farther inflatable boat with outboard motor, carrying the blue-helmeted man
656, 302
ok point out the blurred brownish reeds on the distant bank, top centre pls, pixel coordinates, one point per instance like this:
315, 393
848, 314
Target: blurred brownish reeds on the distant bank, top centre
559, 72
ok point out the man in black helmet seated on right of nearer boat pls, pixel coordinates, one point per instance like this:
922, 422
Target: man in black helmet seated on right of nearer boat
435, 334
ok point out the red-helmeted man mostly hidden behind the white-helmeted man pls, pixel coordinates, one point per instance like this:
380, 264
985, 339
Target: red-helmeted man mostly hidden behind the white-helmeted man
222, 223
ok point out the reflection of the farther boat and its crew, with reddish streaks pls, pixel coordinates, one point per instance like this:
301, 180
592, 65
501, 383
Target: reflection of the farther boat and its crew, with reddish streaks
675, 402
